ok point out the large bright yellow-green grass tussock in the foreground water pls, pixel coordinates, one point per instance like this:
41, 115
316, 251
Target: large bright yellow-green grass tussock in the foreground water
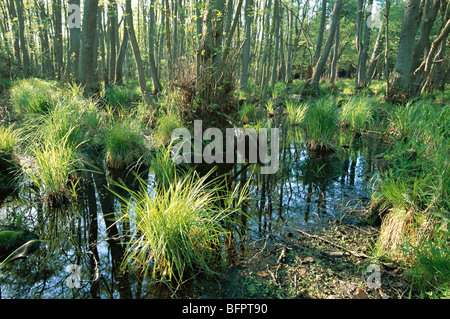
180, 228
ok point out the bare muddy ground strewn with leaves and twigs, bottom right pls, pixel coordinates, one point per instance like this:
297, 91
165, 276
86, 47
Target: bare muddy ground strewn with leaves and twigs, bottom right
323, 263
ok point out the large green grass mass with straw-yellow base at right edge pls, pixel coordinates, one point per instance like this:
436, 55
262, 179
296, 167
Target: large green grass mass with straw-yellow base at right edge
416, 187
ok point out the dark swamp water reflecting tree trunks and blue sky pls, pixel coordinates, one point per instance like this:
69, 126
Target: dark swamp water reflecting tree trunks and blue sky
87, 238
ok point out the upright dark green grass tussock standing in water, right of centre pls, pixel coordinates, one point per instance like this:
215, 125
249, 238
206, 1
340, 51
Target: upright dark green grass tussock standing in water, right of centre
321, 125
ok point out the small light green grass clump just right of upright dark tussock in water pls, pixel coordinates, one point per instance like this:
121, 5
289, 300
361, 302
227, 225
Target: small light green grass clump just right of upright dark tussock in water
357, 113
